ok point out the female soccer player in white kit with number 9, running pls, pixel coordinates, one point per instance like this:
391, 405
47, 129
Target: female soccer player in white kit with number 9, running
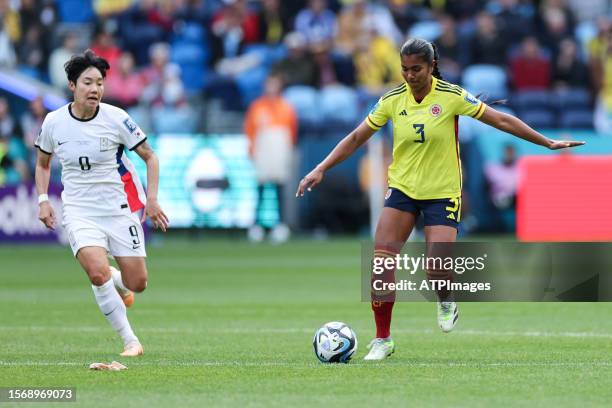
102, 192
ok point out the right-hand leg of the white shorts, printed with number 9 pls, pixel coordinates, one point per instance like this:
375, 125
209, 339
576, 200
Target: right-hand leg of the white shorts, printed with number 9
125, 235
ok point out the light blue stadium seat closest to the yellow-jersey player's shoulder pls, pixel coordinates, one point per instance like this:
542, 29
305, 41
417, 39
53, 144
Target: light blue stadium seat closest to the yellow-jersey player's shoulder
339, 103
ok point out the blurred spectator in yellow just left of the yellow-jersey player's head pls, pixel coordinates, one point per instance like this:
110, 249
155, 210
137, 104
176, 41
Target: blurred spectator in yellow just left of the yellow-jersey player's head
377, 63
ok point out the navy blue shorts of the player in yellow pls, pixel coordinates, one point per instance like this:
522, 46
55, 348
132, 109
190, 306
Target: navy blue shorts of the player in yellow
443, 211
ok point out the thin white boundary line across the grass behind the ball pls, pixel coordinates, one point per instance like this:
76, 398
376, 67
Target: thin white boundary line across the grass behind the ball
288, 330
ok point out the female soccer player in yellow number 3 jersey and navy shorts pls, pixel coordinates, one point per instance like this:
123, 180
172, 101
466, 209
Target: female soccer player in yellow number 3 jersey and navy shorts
425, 175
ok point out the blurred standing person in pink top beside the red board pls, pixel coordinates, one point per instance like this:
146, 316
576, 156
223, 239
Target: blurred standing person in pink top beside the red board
503, 180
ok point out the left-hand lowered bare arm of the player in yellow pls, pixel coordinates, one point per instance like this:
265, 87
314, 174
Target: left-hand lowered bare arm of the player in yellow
343, 149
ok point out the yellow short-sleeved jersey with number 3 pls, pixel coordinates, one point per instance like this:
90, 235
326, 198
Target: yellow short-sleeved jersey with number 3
426, 163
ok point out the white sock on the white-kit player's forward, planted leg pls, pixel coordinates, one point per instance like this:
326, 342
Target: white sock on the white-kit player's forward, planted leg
114, 310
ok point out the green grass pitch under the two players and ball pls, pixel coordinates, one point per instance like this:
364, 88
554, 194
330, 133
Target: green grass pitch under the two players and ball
230, 324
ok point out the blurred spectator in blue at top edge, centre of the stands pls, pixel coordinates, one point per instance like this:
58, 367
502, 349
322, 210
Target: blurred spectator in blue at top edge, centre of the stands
316, 22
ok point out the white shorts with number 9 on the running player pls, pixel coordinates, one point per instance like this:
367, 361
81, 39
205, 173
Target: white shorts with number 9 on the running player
120, 235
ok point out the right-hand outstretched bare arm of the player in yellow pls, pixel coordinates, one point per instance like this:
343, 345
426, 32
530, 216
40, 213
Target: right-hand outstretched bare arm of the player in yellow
518, 128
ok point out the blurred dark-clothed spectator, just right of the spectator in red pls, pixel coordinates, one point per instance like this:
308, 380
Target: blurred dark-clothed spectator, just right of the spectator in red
569, 71
